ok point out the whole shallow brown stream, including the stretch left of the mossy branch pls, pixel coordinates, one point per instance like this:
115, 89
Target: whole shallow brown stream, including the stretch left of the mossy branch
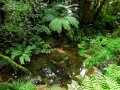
58, 67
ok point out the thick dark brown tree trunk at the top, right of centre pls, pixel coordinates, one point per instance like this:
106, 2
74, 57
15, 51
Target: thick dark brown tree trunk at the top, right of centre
88, 15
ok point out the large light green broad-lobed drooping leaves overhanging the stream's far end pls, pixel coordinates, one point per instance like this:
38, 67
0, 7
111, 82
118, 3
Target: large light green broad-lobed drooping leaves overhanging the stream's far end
65, 22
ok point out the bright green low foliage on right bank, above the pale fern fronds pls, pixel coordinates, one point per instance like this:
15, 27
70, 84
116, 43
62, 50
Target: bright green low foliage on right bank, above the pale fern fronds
103, 49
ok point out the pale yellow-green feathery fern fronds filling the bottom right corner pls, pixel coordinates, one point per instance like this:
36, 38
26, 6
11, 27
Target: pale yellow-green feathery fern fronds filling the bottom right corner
107, 81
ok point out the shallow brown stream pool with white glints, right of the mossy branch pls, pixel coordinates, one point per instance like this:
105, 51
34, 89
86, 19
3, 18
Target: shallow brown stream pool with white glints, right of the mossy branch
58, 67
